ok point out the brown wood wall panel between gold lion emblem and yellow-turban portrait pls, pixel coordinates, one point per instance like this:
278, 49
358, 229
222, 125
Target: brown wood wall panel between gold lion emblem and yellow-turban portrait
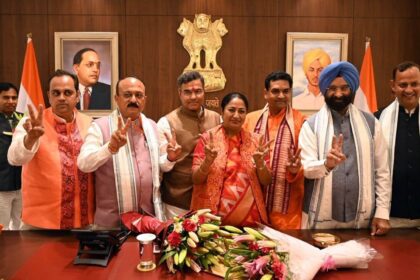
250, 51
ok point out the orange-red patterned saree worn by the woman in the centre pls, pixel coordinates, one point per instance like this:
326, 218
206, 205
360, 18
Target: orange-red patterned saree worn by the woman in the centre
232, 189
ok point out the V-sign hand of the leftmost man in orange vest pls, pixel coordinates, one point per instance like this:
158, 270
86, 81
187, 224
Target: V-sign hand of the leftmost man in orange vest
33, 126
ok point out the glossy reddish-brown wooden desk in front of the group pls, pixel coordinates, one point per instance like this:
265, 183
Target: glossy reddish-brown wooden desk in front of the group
49, 255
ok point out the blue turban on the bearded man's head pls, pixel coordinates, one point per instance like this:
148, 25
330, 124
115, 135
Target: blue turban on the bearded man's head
339, 69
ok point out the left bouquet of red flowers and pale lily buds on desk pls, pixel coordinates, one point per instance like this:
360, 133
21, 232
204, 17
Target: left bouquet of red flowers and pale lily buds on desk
198, 241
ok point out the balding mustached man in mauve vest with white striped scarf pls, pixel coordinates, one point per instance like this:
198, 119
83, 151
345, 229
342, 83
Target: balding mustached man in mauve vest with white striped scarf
123, 151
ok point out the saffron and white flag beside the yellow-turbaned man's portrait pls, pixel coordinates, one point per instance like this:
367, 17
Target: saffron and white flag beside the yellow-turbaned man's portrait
366, 94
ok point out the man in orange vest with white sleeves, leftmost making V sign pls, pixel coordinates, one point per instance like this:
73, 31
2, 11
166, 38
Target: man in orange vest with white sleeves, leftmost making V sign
55, 193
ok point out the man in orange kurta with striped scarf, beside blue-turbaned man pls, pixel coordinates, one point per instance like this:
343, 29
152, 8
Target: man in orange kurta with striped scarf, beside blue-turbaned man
279, 122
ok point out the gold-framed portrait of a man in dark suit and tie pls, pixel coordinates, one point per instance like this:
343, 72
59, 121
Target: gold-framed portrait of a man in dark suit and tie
93, 57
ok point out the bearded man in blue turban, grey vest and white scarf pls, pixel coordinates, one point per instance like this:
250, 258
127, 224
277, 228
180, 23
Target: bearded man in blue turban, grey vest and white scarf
345, 160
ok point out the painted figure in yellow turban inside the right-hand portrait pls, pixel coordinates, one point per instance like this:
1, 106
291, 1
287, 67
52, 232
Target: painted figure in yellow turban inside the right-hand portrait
314, 61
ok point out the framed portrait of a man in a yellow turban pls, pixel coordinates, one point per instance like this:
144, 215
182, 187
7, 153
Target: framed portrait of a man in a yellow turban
307, 55
